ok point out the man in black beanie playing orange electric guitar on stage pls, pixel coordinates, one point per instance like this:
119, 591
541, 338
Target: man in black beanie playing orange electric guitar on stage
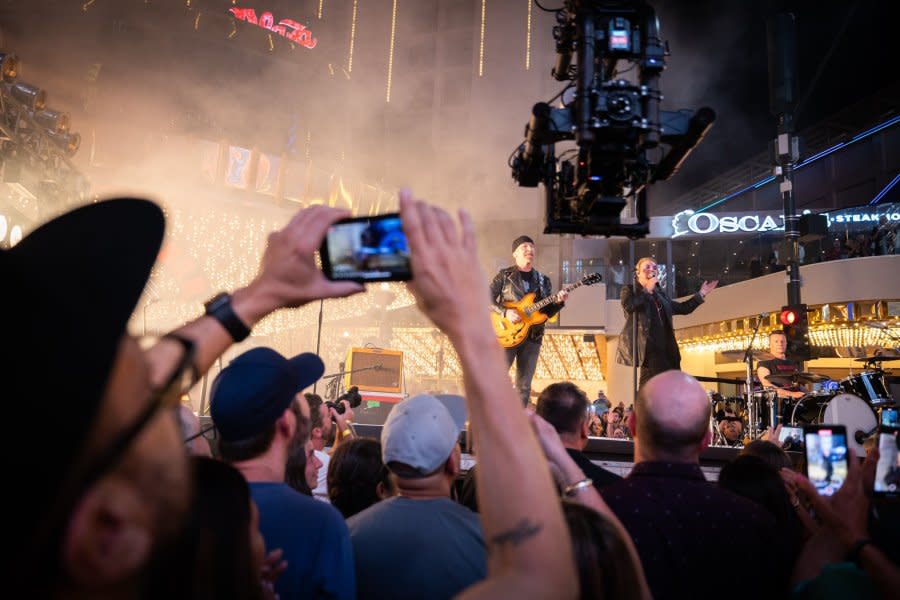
511, 284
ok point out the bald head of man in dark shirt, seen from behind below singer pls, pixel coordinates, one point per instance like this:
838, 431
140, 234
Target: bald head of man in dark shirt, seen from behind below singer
672, 414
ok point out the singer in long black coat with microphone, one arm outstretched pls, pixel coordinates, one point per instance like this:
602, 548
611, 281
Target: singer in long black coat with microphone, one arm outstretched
656, 348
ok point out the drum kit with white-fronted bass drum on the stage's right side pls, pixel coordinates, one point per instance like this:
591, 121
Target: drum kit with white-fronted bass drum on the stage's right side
856, 401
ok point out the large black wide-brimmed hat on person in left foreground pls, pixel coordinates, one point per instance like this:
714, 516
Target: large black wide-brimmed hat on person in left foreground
70, 288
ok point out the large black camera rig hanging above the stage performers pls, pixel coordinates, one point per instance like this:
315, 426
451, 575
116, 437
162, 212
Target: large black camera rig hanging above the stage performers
624, 141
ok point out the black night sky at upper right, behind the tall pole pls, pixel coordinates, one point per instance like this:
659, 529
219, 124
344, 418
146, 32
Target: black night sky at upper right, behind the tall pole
734, 74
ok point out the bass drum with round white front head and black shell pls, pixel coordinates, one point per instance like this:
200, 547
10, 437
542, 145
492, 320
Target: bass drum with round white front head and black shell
848, 410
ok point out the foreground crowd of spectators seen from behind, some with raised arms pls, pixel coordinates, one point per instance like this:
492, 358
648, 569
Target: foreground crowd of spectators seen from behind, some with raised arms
133, 505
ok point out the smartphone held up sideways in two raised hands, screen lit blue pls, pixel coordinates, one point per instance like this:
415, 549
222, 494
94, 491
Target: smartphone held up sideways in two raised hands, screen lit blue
366, 249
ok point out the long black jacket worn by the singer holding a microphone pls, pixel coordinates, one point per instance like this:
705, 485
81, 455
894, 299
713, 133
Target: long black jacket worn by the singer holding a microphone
636, 301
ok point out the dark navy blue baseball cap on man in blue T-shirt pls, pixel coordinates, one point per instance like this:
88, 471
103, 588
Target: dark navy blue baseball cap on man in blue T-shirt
253, 391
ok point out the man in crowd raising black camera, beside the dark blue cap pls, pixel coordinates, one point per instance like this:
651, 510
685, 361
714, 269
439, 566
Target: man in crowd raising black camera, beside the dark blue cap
330, 420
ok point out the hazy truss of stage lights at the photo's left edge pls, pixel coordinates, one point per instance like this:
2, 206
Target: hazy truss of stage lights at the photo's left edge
32, 135
